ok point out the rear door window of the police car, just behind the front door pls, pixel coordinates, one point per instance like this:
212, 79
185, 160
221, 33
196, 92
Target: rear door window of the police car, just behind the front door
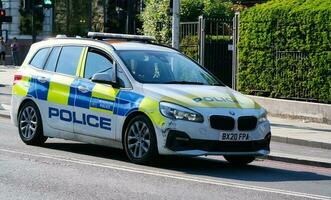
68, 60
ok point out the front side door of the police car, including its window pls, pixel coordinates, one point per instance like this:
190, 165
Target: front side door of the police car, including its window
95, 101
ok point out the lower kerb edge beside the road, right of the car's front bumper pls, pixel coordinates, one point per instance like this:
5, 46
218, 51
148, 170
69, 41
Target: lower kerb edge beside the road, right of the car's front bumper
302, 161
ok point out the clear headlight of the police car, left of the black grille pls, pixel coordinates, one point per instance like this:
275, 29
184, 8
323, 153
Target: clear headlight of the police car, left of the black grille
174, 111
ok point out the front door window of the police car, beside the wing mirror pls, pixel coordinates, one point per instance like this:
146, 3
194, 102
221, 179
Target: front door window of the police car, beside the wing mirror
97, 62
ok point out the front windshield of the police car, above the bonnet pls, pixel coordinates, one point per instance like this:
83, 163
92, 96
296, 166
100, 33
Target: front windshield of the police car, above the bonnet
161, 67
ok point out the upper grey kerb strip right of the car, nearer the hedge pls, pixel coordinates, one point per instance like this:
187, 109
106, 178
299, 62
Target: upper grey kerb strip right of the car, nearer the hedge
301, 142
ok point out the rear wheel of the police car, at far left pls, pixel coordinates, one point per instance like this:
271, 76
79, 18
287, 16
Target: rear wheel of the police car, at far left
30, 127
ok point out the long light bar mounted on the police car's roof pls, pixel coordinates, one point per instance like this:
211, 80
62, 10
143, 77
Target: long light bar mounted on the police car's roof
99, 35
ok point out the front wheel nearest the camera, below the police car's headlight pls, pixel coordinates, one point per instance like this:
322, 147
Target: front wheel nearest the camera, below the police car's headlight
139, 140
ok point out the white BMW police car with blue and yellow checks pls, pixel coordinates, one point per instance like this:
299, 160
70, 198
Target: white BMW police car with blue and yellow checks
123, 91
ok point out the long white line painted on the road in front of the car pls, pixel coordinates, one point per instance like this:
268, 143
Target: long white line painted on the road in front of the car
173, 176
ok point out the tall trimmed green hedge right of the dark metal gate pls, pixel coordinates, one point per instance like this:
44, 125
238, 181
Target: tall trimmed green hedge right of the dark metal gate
285, 49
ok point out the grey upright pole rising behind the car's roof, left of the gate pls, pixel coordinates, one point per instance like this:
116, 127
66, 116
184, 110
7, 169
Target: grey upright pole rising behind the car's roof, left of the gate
175, 24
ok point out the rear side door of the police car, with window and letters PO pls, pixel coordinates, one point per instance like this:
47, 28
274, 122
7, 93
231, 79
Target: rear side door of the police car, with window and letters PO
62, 66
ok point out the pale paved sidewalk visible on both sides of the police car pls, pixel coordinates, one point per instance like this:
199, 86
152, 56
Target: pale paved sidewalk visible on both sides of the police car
294, 141
